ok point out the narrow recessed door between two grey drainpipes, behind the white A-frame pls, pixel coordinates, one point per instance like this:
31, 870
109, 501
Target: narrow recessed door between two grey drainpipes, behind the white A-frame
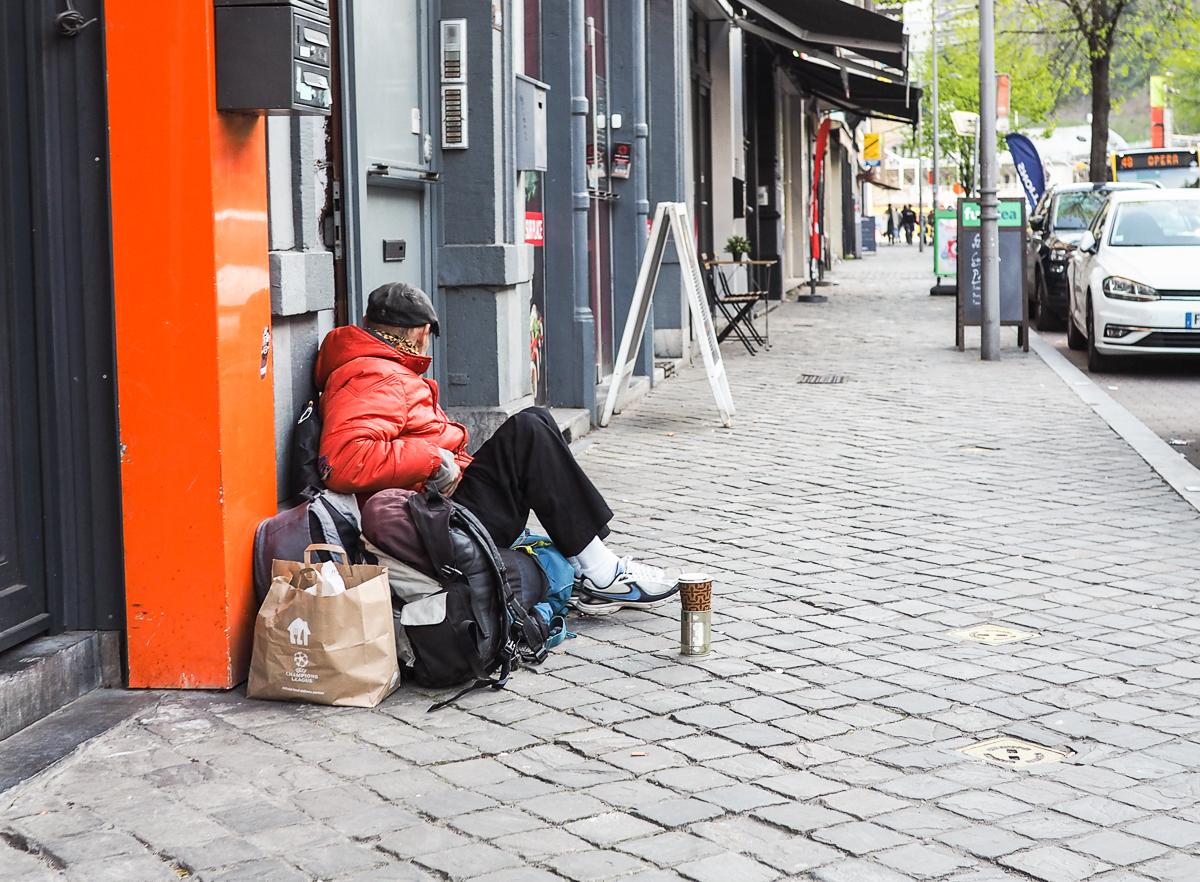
599, 184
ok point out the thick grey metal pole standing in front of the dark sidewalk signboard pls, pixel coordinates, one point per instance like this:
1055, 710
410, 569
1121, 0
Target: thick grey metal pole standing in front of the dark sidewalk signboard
989, 349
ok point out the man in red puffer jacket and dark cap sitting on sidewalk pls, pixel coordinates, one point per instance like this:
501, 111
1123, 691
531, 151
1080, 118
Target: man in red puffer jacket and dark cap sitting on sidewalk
383, 428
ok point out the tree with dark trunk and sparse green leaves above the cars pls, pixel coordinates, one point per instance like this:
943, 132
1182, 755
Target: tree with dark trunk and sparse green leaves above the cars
1100, 28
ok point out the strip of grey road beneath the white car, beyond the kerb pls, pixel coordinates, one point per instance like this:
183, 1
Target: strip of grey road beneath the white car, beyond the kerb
1163, 393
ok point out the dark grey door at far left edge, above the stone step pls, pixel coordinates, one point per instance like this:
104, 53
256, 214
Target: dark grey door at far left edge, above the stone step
23, 602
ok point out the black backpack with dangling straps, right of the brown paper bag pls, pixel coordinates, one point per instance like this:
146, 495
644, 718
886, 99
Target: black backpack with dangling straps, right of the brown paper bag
489, 628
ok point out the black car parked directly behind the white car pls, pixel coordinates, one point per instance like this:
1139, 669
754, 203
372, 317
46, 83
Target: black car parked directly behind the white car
1057, 224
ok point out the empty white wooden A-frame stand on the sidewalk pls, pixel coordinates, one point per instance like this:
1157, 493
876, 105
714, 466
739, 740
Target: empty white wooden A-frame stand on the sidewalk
674, 217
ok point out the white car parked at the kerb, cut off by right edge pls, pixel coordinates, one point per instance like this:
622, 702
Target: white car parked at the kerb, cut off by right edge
1136, 278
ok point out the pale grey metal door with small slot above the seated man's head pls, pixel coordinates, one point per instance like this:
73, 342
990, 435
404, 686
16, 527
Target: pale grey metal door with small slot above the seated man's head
391, 146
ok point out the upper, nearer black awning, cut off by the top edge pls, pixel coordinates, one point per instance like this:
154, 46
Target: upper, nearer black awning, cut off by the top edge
836, 23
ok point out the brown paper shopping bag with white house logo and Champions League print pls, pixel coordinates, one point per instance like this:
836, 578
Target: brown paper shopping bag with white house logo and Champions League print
326, 650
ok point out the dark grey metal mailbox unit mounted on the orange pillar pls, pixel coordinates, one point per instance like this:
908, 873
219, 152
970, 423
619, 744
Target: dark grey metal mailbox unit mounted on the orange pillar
274, 57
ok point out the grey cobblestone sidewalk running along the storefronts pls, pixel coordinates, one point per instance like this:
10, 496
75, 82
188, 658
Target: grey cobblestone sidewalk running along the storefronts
851, 527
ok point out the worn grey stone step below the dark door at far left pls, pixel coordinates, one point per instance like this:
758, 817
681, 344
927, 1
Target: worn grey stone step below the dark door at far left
40, 677
